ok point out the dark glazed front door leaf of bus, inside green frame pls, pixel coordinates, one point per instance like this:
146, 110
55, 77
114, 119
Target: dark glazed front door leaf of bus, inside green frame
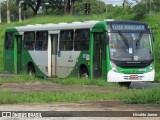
97, 55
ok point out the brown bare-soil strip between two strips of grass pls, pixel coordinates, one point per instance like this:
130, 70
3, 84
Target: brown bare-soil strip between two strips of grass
52, 87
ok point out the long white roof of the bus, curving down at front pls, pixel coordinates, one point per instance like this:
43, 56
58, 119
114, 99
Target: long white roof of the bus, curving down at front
73, 25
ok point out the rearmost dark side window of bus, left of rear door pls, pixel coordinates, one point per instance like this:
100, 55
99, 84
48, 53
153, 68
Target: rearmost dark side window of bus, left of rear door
9, 41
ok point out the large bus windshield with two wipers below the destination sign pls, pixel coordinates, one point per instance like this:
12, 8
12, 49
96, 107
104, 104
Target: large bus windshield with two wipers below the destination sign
130, 46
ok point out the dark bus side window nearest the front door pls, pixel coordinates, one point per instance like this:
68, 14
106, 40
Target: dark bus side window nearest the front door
81, 41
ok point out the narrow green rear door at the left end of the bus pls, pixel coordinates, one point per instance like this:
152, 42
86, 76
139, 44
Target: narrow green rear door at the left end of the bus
18, 51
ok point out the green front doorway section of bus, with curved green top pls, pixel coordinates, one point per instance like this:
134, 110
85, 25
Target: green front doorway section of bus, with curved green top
98, 47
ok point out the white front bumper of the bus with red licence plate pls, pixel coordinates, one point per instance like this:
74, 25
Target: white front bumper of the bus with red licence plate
120, 77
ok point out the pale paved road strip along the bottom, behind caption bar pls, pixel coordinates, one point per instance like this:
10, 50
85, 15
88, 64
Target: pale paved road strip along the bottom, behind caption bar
82, 106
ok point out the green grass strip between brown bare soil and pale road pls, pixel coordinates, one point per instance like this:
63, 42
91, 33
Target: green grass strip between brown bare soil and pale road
10, 97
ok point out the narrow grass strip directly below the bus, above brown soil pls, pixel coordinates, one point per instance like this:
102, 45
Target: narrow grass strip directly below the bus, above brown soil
69, 81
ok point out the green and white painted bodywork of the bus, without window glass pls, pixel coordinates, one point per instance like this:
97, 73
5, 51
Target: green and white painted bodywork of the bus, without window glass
69, 63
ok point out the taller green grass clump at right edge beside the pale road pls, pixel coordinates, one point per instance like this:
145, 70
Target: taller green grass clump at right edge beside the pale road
146, 96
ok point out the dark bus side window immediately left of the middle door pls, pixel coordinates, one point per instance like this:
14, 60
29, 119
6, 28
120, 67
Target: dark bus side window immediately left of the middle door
41, 40
